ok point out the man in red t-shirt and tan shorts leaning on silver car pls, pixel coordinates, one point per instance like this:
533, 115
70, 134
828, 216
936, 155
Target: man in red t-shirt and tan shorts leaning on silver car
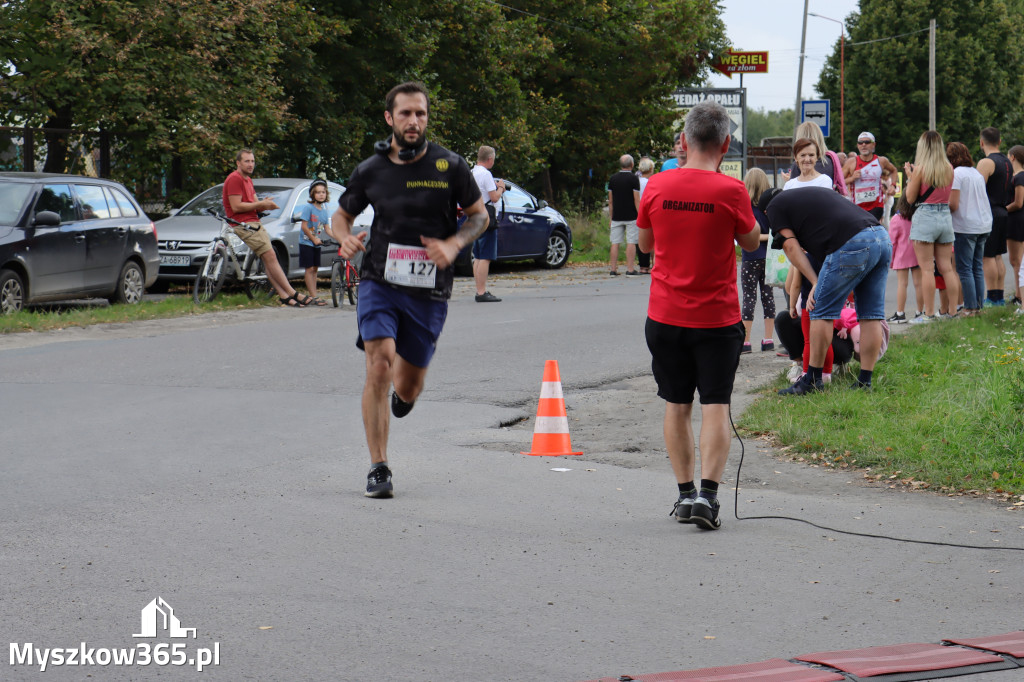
241, 204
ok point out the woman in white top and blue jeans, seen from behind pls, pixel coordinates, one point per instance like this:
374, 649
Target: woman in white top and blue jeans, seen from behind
972, 225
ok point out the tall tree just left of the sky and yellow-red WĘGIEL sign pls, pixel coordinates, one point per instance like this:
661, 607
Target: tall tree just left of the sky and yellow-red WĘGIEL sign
616, 65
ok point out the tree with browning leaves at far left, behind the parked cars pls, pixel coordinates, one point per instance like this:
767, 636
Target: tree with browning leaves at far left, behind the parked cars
187, 79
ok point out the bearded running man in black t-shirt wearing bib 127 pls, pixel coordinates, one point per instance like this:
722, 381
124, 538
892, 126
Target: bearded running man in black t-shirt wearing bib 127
406, 279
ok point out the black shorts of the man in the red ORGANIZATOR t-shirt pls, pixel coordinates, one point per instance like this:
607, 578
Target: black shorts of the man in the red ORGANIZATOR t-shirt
685, 360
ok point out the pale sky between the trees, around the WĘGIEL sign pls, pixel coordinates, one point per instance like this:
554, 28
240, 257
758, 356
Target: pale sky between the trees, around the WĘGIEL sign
753, 29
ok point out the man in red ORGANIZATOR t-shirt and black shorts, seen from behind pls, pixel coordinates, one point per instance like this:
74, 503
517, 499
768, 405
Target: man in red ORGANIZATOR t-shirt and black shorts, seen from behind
692, 218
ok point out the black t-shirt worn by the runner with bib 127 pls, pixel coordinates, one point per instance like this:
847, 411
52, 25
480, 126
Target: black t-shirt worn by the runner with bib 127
410, 201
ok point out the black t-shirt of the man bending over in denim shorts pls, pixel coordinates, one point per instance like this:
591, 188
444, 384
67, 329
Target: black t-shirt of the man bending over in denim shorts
822, 220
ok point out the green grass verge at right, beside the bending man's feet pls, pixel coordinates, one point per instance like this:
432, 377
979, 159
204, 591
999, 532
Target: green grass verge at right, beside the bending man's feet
947, 412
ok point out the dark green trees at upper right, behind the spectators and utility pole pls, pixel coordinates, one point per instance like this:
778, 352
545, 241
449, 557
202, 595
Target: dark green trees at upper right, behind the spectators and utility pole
979, 60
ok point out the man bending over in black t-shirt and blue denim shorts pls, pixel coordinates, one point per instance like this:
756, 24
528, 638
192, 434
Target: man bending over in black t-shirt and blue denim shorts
855, 251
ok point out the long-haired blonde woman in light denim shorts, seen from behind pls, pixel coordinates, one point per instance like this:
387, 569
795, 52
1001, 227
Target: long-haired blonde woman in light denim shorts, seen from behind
932, 227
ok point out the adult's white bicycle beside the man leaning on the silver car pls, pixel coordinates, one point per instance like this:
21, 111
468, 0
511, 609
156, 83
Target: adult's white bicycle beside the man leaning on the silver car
223, 258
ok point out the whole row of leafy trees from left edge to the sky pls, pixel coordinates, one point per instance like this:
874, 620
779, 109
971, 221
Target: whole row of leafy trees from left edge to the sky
559, 89
